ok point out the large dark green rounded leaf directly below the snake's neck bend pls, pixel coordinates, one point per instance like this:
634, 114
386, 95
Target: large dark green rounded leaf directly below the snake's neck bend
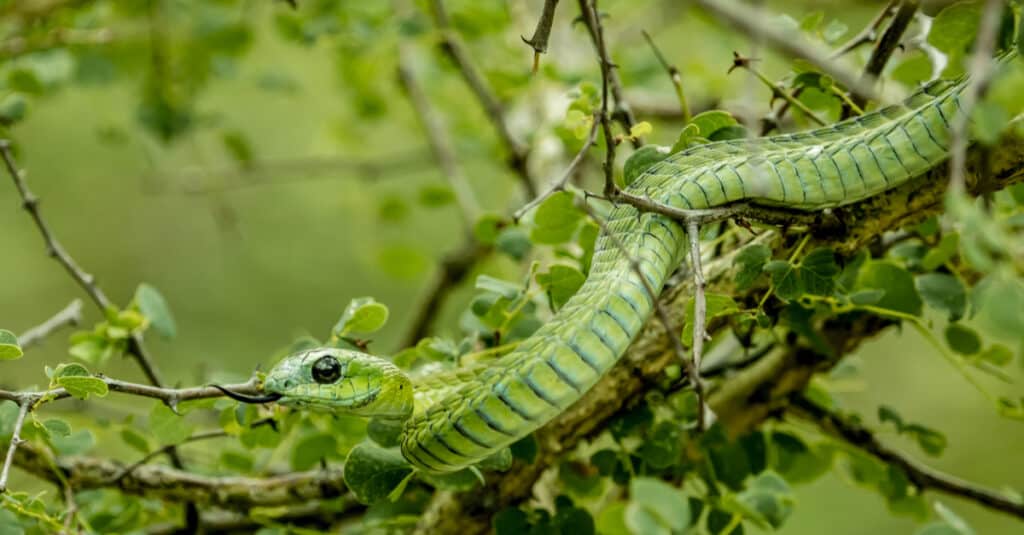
372, 473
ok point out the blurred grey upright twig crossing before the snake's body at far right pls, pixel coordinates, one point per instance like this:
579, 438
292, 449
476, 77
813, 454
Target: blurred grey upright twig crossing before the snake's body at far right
980, 69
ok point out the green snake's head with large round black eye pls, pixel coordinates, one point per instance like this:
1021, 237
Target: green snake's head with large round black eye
342, 381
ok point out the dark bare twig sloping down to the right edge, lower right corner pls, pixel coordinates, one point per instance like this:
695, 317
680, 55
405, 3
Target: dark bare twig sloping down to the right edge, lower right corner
921, 476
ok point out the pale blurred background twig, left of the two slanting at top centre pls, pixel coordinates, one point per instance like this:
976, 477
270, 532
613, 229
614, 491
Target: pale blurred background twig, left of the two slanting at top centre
438, 138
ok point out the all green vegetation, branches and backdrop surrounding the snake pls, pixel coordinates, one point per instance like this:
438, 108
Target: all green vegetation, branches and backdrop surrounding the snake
248, 180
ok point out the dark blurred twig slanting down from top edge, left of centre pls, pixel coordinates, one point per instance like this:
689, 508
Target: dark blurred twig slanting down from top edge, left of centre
453, 46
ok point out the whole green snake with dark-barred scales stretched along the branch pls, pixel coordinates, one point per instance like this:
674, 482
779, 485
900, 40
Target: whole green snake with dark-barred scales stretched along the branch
456, 420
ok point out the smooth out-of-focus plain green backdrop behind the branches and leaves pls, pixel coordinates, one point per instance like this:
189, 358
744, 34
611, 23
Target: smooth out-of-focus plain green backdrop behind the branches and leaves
249, 258
